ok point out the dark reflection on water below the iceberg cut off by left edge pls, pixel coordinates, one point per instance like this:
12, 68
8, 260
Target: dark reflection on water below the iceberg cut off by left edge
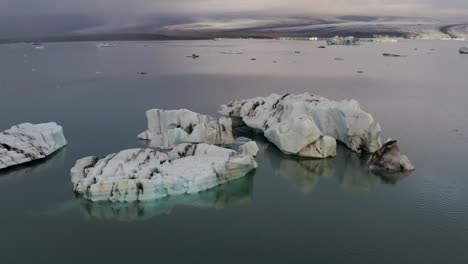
56, 160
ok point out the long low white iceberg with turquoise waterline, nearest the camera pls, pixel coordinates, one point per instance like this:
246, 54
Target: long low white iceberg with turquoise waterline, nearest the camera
146, 174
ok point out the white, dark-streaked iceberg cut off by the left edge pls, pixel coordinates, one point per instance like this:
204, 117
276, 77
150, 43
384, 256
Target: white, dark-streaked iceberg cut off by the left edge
27, 142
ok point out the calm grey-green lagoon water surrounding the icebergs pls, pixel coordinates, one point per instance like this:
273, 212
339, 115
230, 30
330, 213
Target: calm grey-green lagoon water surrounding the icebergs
289, 210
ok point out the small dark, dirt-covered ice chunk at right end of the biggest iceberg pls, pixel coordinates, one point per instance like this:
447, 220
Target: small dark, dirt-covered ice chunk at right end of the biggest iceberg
389, 158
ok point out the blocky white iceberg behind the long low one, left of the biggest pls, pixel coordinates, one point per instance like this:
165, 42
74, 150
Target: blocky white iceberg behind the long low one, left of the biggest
168, 128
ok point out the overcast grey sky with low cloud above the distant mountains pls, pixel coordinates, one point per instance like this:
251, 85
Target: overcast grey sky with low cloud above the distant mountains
34, 15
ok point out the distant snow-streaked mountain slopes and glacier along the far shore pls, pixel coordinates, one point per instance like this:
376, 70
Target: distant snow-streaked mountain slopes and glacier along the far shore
149, 28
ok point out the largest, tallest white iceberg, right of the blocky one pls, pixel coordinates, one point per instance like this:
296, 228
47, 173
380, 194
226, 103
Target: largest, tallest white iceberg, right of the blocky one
307, 125
